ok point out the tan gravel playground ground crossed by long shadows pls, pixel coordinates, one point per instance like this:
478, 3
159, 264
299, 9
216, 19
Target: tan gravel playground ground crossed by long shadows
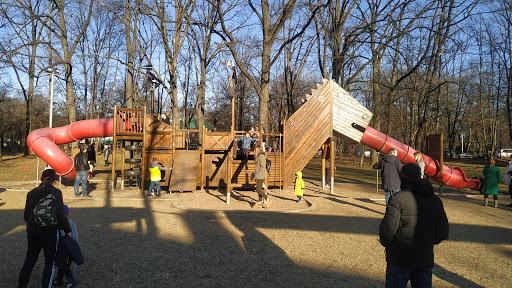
197, 240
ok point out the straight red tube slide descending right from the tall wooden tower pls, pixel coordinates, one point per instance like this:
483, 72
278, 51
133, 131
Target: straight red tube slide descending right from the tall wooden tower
453, 177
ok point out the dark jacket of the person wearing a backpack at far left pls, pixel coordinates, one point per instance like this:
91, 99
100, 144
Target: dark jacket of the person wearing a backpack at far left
33, 198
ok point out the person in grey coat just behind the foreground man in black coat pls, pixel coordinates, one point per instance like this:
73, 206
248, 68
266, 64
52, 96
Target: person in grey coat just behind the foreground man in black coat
390, 166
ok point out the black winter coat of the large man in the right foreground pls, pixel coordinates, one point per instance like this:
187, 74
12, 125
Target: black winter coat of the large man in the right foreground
415, 220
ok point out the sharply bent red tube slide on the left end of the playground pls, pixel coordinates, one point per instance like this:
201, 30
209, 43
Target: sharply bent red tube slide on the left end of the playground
44, 142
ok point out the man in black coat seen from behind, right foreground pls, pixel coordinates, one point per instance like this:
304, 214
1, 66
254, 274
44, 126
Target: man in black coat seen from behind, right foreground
414, 222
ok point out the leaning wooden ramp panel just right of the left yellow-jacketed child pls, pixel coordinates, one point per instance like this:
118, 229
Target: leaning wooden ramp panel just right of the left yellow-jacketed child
185, 170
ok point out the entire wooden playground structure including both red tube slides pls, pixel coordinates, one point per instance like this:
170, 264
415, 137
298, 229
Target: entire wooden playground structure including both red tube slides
329, 111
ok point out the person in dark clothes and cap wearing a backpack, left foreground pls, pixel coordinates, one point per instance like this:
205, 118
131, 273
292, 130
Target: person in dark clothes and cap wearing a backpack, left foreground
42, 236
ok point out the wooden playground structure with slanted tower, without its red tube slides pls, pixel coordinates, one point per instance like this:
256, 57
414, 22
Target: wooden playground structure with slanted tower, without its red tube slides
217, 162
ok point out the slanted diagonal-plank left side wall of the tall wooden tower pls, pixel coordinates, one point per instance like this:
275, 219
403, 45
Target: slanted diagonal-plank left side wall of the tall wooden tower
306, 130
